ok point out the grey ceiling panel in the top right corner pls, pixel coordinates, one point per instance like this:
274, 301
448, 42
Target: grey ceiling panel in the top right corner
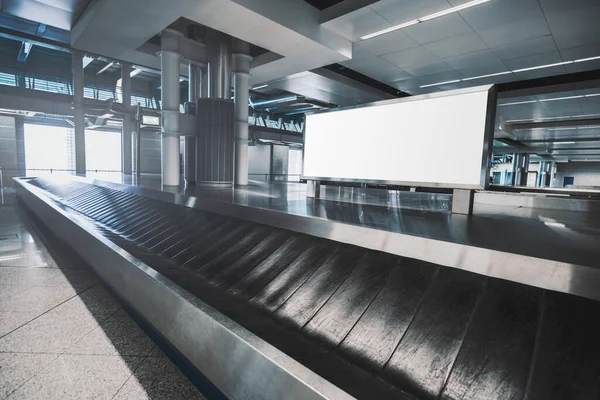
573, 22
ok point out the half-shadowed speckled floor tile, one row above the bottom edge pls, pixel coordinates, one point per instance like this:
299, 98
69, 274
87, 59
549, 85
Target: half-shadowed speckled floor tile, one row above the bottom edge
117, 335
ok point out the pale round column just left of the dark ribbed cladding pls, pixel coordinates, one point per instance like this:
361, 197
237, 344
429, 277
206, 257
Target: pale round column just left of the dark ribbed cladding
170, 60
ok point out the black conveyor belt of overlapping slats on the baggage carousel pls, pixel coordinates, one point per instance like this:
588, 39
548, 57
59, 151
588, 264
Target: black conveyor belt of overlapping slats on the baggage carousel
373, 324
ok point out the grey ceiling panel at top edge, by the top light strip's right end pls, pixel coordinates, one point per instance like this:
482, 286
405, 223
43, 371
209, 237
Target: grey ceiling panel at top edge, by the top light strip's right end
501, 22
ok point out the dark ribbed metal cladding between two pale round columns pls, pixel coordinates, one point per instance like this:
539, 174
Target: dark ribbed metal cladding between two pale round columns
214, 158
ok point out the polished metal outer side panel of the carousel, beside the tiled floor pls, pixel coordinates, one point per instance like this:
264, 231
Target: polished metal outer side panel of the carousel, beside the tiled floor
239, 363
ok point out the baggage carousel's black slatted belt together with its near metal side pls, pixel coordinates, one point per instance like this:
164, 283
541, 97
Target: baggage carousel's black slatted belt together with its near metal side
270, 306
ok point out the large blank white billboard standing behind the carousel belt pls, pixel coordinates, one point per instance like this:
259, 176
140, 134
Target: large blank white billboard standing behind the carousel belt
436, 141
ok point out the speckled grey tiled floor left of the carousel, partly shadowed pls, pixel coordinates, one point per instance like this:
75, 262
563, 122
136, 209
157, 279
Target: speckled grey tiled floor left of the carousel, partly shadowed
62, 336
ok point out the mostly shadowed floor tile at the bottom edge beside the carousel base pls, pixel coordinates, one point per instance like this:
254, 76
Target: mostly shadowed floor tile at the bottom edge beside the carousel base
158, 378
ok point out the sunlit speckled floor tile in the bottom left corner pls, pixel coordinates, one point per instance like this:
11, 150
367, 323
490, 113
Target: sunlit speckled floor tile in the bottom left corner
16, 369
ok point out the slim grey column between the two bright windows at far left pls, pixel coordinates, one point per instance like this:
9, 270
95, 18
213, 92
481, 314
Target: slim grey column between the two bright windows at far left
78, 113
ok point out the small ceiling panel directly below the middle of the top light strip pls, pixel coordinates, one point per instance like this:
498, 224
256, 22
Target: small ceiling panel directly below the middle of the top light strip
438, 29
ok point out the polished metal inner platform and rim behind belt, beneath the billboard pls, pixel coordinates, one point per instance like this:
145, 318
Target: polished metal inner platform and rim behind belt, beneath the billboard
544, 249
